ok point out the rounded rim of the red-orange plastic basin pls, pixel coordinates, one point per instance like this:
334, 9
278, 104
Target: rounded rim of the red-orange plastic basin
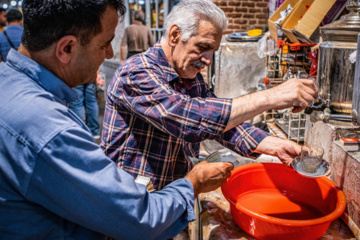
340, 208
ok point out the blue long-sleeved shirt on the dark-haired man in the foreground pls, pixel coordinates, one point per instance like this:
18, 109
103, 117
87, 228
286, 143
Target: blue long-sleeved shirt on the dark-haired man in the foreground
56, 182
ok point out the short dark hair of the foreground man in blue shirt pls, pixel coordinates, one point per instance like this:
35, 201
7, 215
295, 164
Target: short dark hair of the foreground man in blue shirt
46, 21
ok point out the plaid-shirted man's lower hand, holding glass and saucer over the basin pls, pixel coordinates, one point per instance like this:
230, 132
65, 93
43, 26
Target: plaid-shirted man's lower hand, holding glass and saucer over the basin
285, 150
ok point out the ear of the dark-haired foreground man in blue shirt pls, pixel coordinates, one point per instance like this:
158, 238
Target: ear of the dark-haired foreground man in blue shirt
65, 48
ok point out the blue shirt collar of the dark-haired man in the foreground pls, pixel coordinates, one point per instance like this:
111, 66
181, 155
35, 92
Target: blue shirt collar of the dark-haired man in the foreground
43, 77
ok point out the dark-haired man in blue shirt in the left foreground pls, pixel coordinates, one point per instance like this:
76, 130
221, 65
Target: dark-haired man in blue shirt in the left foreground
56, 182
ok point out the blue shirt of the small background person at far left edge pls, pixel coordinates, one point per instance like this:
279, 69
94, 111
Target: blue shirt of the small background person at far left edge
14, 32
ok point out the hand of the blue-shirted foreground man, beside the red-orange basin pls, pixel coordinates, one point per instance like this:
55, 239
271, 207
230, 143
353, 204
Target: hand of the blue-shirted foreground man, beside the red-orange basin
206, 176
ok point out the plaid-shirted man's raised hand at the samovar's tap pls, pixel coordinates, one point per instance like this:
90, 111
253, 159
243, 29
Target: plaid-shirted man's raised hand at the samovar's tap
296, 93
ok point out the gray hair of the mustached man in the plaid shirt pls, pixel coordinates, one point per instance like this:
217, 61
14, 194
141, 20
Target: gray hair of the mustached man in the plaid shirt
188, 14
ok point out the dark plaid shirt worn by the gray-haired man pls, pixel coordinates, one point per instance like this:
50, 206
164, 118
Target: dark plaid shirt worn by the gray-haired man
154, 121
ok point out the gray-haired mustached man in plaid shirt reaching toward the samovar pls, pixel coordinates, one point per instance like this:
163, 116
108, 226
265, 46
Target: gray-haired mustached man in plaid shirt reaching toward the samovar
159, 108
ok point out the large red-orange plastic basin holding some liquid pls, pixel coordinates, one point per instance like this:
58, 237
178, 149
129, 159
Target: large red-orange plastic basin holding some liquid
272, 201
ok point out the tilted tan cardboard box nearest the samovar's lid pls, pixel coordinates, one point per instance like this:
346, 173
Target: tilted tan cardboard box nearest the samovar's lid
303, 25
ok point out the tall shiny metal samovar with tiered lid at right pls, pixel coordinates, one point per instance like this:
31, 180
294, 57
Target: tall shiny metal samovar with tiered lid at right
335, 71
